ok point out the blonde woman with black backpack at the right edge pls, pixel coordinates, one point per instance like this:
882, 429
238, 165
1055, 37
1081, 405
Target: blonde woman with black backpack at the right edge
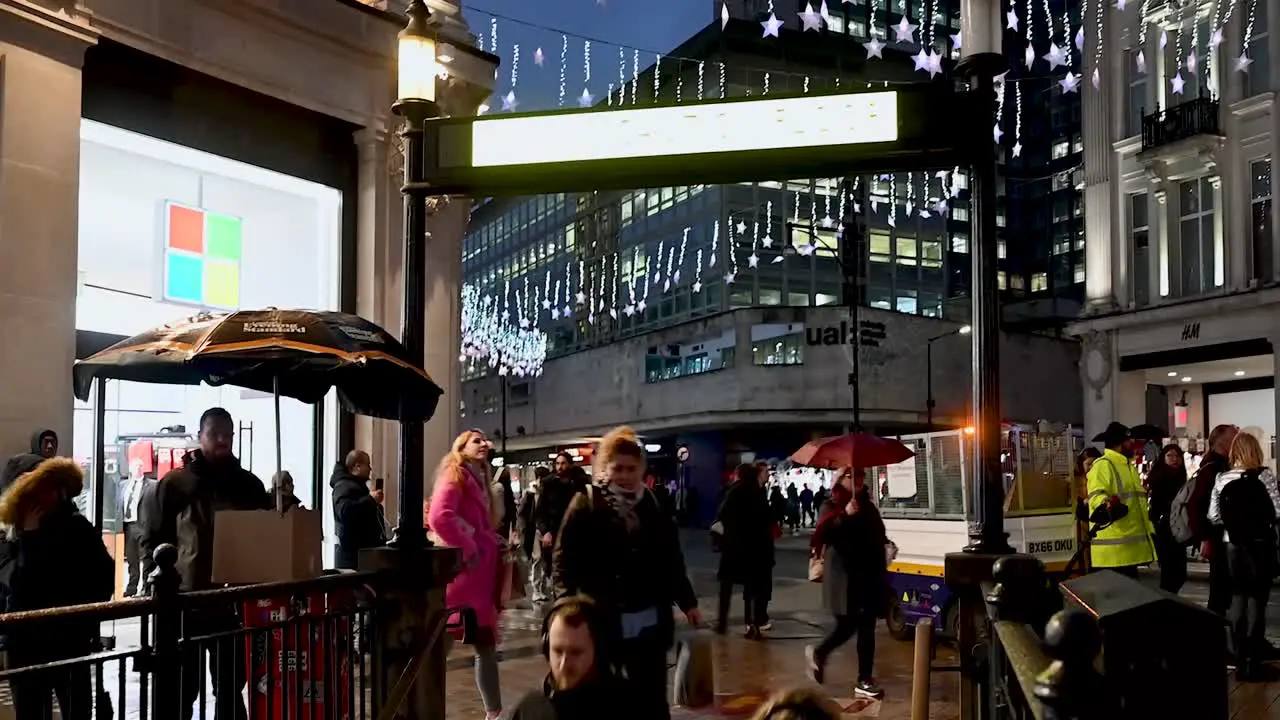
1246, 503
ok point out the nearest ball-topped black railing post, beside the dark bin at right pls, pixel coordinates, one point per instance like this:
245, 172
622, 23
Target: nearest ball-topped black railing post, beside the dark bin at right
1071, 689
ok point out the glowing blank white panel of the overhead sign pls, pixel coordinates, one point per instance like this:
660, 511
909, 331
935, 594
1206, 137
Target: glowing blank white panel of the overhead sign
724, 127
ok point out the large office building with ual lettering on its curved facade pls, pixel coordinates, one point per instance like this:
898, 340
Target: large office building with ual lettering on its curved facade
717, 317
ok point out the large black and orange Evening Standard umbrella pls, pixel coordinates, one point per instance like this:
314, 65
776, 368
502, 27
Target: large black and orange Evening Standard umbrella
299, 354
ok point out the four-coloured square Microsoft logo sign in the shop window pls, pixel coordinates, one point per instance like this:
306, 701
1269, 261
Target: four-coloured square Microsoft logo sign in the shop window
202, 257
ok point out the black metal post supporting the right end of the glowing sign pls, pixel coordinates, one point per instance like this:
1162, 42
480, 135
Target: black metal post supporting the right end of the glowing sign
988, 535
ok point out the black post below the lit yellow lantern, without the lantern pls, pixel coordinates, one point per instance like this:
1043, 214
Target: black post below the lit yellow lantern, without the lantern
409, 530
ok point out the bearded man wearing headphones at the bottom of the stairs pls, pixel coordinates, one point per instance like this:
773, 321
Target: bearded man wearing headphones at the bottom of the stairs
582, 683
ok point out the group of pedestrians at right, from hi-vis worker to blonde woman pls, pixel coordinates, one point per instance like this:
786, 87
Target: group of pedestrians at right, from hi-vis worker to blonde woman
1226, 512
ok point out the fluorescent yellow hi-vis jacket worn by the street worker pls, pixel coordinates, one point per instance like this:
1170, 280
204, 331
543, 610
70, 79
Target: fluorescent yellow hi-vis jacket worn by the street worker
1126, 543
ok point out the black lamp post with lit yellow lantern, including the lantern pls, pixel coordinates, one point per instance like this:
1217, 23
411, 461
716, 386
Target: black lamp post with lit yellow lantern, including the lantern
417, 104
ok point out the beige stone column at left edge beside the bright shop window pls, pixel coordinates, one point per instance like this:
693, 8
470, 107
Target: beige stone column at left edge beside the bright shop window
42, 56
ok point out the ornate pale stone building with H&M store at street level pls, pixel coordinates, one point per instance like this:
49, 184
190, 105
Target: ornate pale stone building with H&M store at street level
1183, 311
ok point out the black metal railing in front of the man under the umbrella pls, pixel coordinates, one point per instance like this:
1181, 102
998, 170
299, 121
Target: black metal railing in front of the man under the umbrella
278, 650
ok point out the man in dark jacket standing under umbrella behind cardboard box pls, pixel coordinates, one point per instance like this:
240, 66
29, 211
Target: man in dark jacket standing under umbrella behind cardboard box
180, 511
